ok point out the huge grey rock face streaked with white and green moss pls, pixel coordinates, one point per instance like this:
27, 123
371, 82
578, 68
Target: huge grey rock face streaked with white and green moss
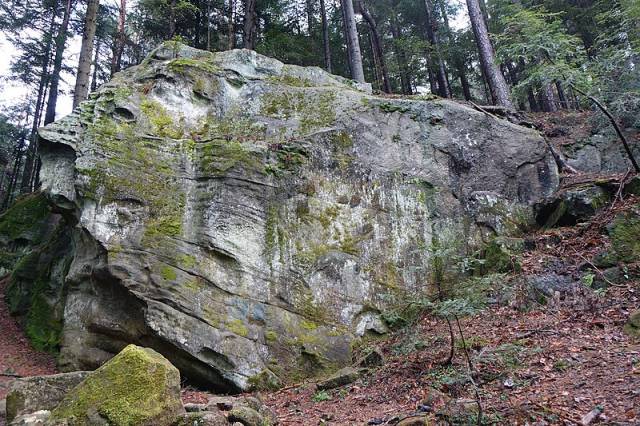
250, 219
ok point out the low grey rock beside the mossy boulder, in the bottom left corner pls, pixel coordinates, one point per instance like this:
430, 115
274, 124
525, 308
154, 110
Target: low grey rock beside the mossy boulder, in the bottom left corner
30, 394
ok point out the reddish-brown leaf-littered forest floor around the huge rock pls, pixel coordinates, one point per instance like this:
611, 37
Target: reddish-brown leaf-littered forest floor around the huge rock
546, 364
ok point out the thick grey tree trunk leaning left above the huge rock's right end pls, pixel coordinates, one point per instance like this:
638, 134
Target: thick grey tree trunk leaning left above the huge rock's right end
497, 84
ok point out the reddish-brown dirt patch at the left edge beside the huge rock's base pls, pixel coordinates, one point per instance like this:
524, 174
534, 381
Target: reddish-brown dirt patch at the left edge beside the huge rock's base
17, 356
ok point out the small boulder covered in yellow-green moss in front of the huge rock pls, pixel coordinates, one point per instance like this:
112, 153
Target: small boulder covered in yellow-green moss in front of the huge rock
137, 387
